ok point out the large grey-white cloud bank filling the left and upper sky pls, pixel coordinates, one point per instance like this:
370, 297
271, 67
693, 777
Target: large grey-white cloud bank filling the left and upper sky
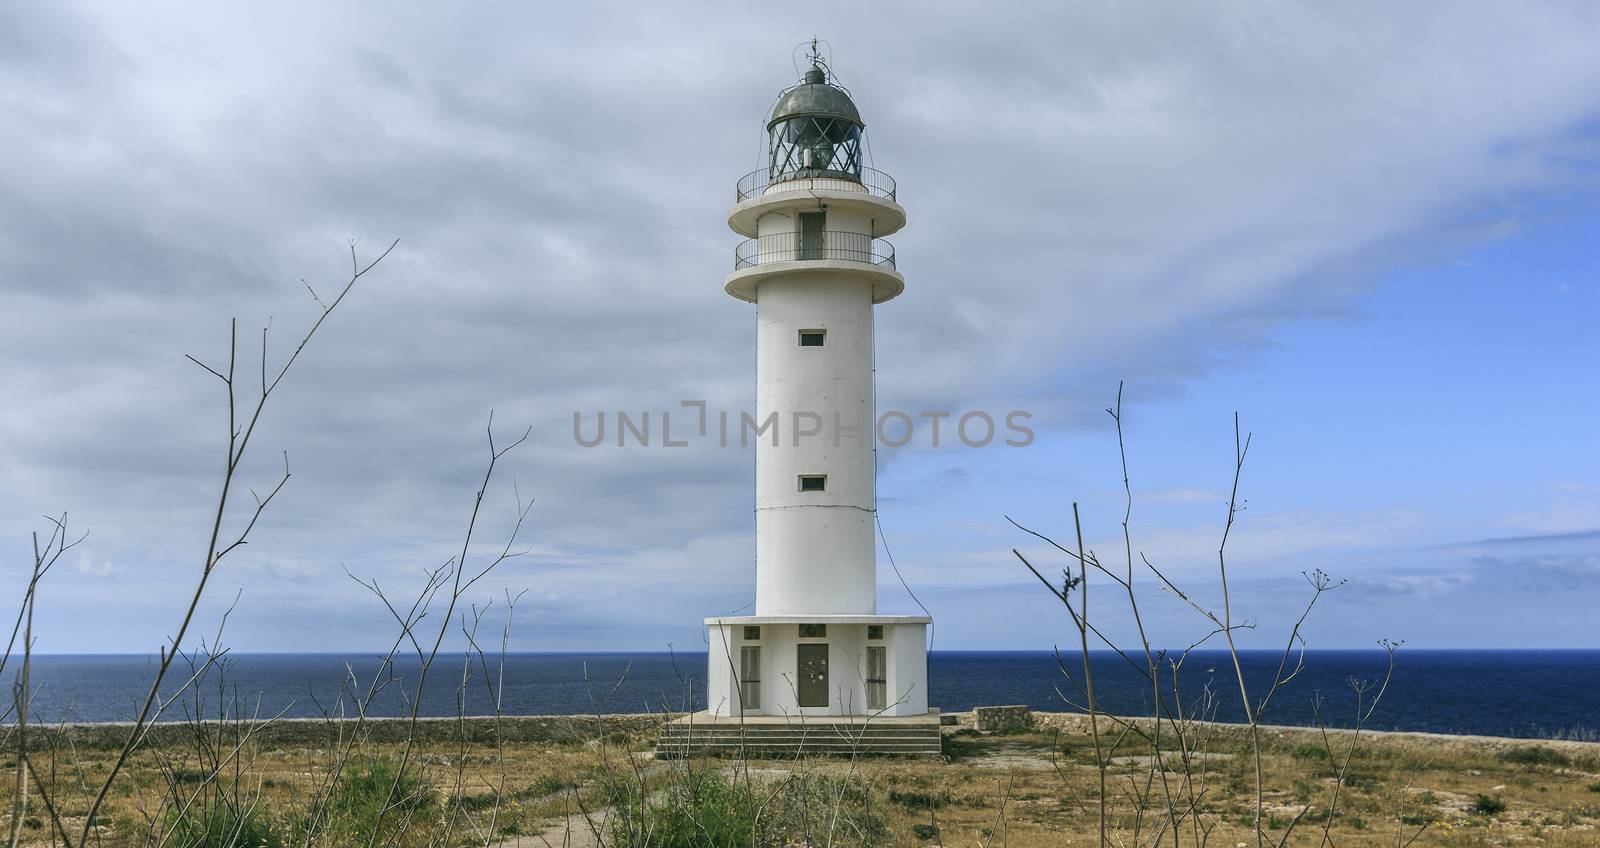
1092, 193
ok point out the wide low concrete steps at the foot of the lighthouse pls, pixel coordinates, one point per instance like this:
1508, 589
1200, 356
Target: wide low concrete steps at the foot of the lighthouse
786, 740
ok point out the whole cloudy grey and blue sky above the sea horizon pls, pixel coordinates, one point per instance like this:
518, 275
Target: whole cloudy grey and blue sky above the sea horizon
1367, 230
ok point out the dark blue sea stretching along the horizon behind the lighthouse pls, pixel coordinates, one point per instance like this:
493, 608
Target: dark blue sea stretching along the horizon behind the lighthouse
1495, 694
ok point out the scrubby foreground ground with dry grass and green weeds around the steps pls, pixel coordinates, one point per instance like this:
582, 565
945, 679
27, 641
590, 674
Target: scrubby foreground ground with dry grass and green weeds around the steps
1028, 788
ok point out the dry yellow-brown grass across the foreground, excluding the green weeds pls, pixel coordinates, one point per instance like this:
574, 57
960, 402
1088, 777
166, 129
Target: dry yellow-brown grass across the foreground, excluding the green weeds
1026, 790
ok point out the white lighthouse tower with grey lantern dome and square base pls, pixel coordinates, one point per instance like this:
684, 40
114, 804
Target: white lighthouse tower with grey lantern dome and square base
815, 266
